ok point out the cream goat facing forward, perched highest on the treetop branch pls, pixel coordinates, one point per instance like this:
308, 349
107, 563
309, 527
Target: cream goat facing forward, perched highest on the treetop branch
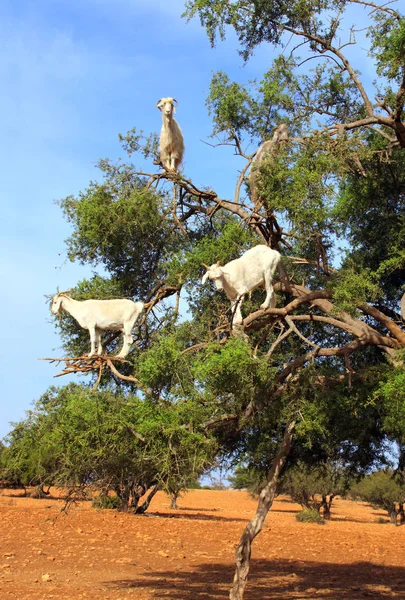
171, 137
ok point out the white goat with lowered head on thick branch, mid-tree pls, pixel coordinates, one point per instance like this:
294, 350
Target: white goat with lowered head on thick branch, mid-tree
254, 268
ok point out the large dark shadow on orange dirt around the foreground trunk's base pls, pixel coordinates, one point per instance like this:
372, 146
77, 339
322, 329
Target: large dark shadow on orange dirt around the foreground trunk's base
276, 579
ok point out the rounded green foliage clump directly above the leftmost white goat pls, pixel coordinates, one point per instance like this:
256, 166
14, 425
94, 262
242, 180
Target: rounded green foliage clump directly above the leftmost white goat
127, 233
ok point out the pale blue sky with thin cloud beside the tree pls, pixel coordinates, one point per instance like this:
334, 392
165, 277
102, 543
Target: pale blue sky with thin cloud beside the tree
75, 74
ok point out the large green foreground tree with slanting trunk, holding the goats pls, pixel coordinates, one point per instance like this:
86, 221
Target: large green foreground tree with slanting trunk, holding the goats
320, 371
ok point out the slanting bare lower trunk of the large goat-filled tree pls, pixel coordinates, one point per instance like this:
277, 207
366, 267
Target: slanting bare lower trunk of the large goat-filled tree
254, 527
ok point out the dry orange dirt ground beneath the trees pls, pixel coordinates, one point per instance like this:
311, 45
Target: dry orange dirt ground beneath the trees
188, 554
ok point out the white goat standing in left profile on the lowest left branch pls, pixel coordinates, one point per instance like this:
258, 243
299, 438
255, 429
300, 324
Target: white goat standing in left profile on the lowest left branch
99, 315
